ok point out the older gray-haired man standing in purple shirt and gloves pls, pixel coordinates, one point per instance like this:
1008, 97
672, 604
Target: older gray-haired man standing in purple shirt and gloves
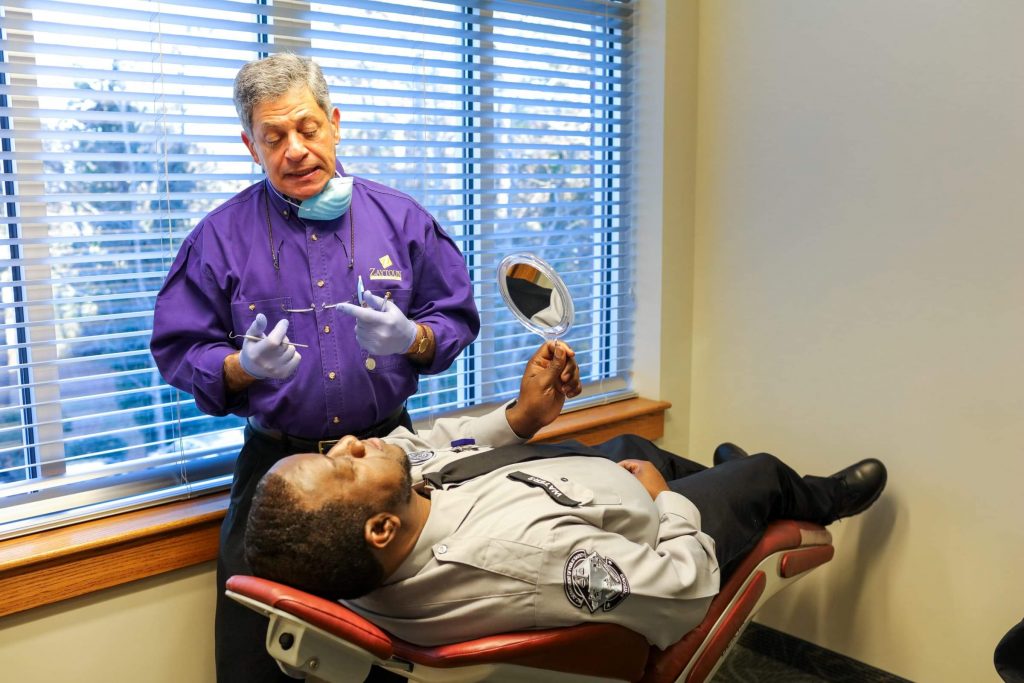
309, 304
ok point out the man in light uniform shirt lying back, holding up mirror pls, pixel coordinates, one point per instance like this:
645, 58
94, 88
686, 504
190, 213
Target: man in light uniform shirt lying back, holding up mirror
466, 531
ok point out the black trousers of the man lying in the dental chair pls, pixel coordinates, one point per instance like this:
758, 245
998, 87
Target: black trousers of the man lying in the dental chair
738, 499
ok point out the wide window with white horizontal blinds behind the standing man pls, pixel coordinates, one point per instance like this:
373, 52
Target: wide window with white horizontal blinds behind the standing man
507, 120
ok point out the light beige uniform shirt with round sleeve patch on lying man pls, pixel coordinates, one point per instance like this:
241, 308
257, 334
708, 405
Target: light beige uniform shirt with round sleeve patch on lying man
561, 542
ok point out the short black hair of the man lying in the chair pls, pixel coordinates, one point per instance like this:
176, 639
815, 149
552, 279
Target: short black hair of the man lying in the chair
321, 551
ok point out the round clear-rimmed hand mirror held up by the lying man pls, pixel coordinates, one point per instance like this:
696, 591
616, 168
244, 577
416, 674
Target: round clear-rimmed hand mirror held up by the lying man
536, 295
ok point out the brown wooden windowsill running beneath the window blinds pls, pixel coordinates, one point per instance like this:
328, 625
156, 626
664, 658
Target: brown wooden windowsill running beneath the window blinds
58, 565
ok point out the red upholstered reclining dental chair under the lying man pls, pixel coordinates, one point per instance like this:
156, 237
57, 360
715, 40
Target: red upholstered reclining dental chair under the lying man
322, 641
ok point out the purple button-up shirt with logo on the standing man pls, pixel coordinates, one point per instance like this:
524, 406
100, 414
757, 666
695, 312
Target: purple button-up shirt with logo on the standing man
225, 276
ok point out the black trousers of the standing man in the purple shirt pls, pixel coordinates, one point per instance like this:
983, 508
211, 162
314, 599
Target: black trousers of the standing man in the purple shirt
240, 633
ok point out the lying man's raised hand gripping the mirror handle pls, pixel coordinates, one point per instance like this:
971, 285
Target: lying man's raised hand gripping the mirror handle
550, 378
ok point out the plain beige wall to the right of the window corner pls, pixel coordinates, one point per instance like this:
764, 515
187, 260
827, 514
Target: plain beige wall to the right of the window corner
860, 291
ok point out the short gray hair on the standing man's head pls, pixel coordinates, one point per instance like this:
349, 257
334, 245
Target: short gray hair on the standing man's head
273, 77
